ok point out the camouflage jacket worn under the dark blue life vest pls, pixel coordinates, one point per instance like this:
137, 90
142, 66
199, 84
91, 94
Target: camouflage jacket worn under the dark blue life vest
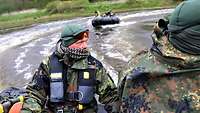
39, 87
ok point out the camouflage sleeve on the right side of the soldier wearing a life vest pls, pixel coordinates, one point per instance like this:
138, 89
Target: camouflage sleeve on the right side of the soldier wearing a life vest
107, 91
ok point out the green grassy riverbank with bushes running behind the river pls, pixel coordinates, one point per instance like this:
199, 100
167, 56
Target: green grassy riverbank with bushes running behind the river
68, 9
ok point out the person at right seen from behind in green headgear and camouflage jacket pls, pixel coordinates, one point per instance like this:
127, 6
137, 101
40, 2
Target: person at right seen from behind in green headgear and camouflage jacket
166, 78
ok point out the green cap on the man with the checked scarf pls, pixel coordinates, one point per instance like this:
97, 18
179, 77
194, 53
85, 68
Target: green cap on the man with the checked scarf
68, 36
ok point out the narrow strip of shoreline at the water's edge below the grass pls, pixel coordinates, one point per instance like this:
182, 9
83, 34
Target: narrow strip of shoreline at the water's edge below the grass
7, 28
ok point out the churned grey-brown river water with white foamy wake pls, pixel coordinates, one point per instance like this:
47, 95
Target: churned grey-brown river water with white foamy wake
22, 51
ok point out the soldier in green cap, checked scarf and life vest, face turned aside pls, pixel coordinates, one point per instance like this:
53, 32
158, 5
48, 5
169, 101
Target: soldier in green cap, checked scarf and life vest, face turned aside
68, 79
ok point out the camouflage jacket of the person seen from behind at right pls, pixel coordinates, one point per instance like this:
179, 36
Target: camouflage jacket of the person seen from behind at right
161, 80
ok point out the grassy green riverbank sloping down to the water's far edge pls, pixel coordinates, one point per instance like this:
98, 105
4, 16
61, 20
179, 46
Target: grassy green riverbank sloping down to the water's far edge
9, 23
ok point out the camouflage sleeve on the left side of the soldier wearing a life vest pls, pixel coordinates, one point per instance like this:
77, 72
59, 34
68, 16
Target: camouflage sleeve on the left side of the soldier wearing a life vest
37, 90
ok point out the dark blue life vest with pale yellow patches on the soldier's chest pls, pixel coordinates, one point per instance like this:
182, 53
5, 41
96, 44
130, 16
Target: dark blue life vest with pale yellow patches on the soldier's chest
85, 84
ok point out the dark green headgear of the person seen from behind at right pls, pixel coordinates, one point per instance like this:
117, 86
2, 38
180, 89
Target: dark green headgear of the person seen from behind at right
184, 27
